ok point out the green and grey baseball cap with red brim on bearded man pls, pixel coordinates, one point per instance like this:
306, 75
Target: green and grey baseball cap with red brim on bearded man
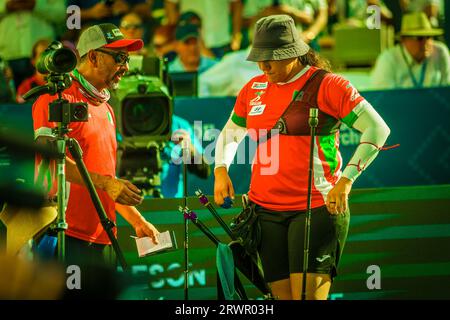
105, 35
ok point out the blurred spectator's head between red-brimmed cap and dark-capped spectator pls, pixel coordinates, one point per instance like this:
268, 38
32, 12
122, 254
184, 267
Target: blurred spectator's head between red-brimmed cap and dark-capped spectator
164, 43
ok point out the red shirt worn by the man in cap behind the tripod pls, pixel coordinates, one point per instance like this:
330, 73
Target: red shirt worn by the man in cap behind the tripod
97, 139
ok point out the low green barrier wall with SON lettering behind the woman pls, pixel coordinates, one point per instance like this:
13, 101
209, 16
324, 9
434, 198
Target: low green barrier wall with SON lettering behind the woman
405, 232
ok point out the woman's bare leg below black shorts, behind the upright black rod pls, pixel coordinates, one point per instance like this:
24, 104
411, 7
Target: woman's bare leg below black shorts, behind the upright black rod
317, 286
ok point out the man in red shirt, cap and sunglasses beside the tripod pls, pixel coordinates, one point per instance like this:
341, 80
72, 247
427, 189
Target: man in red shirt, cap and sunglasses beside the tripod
104, 60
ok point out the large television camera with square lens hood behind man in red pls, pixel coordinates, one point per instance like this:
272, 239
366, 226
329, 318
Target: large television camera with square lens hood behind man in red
144, 109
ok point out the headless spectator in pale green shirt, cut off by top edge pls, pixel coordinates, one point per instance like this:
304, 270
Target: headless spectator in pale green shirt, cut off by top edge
216, 21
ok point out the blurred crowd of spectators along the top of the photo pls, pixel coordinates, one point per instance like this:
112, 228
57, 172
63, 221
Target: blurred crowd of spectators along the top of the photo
212, 37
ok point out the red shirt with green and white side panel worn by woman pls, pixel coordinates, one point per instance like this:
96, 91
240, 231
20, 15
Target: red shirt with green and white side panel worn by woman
279, 178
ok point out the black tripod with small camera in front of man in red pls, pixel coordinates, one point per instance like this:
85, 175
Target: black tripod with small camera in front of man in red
63, 112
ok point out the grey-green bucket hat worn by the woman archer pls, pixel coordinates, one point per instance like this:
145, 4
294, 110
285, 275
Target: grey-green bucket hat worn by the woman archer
276, 38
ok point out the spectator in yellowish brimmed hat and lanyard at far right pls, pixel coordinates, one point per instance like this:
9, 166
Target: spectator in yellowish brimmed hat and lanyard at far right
418, 61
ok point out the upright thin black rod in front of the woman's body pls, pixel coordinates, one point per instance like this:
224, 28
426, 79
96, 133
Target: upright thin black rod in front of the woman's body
313, 122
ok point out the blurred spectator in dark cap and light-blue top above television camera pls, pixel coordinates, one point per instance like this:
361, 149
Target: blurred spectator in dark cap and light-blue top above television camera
188, 48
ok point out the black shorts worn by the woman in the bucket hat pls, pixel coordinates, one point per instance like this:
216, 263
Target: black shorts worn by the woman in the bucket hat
282, 242
